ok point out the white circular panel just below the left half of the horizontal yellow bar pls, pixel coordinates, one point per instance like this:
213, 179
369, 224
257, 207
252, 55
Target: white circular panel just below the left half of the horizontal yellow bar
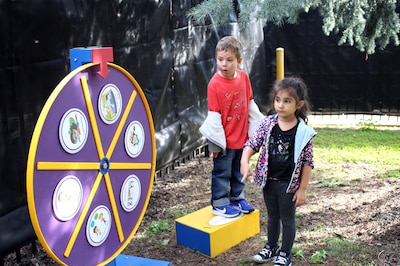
67, 198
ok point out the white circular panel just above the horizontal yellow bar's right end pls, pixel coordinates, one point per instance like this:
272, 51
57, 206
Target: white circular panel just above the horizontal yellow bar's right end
134, 139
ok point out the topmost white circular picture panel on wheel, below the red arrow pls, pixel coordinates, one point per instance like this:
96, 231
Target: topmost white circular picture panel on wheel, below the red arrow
110, 103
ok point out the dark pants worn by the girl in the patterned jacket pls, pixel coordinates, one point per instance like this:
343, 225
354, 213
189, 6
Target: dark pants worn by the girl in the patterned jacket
281, 209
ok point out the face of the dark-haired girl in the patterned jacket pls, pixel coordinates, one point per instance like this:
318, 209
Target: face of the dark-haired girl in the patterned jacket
285, 104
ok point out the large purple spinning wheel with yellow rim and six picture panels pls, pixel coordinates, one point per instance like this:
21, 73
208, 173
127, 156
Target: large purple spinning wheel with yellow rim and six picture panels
91, 165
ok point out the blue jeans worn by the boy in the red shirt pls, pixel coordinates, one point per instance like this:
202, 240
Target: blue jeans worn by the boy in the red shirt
226, 185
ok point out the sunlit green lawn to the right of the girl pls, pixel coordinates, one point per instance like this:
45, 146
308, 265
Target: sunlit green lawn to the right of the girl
374, 151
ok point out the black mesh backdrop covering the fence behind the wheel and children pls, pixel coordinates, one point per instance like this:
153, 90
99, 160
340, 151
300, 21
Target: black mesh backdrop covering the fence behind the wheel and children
172, 60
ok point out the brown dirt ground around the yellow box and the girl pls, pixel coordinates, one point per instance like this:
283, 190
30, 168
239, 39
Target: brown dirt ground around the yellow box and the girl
366, 212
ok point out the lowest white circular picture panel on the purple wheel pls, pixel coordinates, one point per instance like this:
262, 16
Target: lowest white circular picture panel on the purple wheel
98, 226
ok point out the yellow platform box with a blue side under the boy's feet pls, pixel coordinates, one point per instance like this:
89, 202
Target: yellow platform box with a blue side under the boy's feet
211, 235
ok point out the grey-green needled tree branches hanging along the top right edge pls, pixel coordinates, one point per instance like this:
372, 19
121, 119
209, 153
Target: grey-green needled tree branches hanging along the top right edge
365, 24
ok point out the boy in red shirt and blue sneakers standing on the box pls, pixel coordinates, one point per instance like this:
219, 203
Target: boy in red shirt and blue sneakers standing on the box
232, 117
